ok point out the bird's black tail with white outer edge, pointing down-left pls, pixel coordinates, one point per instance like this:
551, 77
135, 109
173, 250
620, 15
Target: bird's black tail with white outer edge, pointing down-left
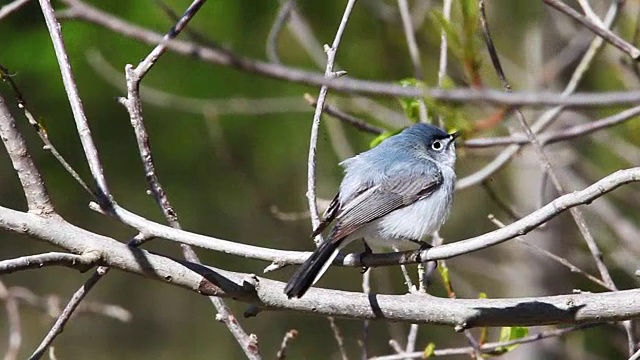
312, 269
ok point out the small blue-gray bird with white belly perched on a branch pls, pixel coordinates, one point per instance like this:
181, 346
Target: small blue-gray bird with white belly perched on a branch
398, 192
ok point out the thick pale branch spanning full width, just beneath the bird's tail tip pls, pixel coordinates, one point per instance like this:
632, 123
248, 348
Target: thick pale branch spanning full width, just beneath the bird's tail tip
268, 294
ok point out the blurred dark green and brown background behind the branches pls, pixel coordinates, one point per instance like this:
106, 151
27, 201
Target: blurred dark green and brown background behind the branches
224, 173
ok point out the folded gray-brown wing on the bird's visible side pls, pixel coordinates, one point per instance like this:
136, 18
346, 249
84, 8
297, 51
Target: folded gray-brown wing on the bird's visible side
381, 199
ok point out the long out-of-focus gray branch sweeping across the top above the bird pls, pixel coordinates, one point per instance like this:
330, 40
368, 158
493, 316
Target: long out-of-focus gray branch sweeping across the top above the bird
82, 11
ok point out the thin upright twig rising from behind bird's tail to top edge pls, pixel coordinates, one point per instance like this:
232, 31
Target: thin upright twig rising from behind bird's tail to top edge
315, 126
